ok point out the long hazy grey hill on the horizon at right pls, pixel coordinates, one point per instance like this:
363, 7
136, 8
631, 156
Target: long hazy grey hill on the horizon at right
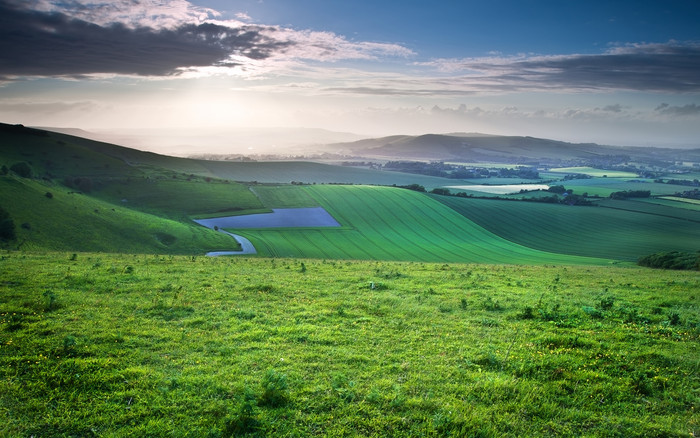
495, 148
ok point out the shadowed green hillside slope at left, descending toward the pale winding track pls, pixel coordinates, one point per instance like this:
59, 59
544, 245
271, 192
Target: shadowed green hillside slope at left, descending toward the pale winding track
71, 221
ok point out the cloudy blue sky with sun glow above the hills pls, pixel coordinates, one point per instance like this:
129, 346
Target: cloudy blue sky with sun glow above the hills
610, 72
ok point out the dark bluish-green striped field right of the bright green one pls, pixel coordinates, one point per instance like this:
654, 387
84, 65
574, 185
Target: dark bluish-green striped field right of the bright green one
627, 231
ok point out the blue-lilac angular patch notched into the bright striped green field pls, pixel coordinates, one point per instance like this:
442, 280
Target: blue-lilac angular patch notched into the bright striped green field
279, 218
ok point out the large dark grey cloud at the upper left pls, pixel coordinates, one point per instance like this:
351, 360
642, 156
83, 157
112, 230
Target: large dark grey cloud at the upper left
34, 43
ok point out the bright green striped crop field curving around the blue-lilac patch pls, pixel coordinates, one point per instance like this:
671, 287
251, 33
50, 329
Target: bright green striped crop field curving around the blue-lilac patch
382, 223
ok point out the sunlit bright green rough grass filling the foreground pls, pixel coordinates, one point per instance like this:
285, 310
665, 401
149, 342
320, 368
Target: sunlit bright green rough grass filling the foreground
128, 345
